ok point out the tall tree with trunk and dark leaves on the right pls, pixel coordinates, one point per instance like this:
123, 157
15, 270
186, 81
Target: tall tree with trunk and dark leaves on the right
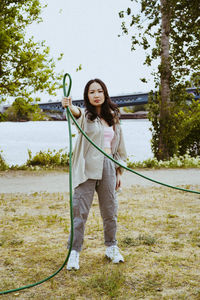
174, 28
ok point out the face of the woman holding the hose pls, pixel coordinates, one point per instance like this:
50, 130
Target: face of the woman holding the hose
96, 94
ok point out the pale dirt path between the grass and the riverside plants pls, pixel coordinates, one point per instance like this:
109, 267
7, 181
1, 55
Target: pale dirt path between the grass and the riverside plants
54, 181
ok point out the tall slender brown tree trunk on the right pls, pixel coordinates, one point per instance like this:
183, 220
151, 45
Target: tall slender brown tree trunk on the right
165, 79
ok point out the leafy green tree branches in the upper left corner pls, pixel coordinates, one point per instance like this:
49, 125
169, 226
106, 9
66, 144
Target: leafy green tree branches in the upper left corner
25, 65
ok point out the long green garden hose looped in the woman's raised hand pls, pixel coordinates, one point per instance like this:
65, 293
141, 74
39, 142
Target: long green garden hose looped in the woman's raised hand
69, 115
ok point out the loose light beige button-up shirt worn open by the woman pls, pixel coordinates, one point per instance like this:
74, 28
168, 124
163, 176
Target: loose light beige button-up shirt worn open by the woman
87, 161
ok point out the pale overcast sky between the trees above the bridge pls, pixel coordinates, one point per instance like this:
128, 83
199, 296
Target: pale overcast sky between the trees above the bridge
86, 31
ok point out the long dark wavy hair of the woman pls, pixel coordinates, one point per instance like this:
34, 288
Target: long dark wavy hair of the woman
109, 110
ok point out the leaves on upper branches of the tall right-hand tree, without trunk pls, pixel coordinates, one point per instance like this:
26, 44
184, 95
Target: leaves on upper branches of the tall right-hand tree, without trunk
184, 34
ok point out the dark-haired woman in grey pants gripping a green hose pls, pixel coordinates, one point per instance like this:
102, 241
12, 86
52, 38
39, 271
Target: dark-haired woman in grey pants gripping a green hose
94, 171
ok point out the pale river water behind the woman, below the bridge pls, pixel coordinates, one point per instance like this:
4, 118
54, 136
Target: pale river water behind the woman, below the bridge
17, 137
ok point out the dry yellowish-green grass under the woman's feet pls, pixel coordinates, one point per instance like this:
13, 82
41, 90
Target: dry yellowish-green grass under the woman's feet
158, 233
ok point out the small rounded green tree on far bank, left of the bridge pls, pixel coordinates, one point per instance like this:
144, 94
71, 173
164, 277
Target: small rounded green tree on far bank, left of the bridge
23, 110
